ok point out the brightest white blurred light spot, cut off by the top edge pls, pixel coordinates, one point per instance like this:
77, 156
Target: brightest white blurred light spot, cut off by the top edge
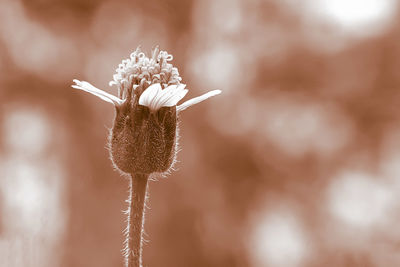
362, 16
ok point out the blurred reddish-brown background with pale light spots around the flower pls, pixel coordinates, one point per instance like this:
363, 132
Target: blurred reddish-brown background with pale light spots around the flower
296, 163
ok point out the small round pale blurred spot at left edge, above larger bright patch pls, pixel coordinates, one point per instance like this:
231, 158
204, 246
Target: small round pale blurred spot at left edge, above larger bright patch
26, 131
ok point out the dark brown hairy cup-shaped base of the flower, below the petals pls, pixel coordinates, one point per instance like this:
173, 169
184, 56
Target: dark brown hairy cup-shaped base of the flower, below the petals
142, 140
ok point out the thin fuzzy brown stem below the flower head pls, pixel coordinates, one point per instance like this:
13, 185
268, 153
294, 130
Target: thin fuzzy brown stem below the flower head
137, 197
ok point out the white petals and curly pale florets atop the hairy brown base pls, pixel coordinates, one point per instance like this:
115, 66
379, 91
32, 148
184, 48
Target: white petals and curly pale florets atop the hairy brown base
154, 80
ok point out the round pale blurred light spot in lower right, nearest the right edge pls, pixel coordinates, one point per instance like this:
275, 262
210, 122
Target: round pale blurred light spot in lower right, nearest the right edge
360, 200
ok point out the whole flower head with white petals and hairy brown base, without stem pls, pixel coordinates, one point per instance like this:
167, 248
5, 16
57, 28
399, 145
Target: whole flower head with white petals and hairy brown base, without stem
143, 137
